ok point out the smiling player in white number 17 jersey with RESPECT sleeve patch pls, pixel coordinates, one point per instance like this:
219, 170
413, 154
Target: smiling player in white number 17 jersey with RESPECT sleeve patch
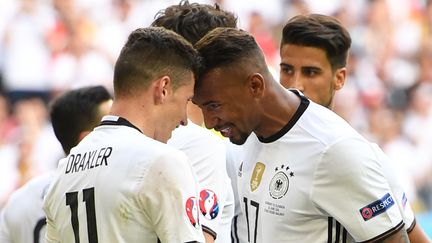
304, 166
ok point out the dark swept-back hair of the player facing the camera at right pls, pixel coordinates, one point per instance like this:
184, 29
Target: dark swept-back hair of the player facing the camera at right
320, 31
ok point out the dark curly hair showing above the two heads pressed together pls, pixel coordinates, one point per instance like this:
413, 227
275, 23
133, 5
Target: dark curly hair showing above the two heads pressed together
194, 20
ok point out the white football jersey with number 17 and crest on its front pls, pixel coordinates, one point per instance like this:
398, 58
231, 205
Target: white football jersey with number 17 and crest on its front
317, 180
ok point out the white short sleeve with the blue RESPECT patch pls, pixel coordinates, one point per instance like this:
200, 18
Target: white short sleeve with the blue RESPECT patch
349, 185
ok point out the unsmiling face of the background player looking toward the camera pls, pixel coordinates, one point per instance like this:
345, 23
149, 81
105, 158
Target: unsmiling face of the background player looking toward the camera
309, 70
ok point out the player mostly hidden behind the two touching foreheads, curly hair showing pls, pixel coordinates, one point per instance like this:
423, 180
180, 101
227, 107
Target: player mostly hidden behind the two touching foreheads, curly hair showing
193, 21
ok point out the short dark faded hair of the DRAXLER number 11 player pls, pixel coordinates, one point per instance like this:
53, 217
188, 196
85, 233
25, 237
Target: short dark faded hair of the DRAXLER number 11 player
151, 53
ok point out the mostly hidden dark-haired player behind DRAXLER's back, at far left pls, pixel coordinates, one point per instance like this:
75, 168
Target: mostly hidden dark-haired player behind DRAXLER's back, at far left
73, 115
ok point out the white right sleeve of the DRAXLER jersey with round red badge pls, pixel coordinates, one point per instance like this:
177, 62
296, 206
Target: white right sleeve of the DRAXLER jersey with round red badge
169, 197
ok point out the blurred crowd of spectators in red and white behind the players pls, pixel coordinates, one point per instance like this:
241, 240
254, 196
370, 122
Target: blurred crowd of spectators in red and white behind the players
49, 46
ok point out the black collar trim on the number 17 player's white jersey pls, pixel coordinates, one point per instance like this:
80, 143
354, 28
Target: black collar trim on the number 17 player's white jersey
304, 103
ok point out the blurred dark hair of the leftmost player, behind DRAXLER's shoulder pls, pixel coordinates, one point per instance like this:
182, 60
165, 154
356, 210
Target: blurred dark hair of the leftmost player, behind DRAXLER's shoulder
76, 111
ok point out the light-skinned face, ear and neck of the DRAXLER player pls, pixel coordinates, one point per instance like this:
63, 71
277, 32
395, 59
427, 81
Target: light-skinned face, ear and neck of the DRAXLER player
157, 110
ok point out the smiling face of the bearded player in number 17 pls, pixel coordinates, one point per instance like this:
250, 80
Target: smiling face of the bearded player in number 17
224, 95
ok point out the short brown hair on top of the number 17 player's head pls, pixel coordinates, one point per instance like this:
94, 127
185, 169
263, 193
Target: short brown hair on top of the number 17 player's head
229, 47
